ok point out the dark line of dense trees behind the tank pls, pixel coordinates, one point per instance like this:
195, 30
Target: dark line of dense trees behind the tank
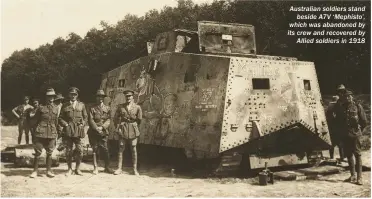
80, 62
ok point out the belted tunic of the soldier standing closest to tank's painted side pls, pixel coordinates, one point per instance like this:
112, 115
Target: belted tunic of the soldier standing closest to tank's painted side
127, 120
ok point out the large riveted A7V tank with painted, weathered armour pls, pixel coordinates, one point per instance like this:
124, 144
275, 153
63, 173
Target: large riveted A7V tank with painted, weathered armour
209, 93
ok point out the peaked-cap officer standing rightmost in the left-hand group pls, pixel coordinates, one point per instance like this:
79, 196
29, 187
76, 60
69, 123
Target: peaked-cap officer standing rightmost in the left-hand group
127, 119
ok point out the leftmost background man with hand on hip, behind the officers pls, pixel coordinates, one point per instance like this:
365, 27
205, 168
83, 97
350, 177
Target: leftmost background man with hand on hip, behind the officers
19, 112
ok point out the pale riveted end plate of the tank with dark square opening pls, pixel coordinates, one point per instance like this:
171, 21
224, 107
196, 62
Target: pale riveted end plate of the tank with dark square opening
278, 101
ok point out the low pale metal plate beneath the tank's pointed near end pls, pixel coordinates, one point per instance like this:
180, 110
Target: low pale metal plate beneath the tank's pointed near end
276, 161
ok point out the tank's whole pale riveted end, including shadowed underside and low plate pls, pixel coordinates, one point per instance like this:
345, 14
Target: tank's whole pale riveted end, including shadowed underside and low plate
273, 108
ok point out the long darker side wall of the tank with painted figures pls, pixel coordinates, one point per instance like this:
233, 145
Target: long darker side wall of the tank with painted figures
181, 99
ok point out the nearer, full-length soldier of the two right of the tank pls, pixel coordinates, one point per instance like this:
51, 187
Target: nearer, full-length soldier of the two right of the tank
351, 120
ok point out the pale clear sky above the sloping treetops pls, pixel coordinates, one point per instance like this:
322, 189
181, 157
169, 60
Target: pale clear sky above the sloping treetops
31, 23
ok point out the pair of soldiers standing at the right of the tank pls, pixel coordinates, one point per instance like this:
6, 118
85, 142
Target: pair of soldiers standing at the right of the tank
346, 120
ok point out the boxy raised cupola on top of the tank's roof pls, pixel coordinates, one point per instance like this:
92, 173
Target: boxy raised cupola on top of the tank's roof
226, 38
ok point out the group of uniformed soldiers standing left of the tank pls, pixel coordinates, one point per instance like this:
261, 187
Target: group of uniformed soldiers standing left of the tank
66, 121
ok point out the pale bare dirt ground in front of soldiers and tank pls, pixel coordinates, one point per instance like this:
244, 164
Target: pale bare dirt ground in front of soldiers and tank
159, 182
